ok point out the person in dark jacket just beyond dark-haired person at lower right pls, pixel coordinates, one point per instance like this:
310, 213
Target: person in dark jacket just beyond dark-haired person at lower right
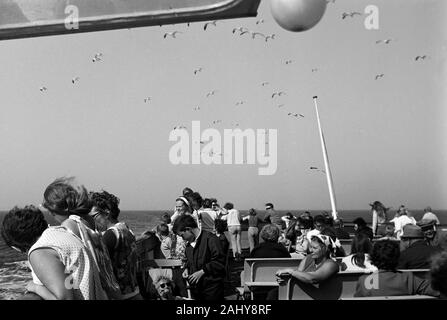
415, 253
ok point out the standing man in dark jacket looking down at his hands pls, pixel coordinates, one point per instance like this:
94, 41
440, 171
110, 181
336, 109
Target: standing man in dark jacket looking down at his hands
206, 261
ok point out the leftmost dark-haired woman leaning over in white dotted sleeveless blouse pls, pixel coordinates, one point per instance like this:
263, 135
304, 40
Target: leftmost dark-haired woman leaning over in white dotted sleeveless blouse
55, 255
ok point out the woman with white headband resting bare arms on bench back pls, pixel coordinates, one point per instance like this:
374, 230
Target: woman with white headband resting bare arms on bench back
317, 266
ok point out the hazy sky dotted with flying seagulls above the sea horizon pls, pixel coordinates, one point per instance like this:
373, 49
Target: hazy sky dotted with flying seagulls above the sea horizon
386, 138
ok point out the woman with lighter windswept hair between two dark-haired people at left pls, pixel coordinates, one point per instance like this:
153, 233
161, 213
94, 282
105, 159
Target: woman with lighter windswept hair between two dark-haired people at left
70, 205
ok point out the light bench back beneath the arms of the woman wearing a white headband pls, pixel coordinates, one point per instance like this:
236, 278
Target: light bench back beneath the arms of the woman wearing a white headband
341, 286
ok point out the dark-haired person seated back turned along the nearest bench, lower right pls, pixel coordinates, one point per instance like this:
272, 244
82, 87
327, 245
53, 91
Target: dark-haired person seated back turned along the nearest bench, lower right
388, 281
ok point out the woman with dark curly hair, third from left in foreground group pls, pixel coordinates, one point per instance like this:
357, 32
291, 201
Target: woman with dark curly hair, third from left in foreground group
119, 240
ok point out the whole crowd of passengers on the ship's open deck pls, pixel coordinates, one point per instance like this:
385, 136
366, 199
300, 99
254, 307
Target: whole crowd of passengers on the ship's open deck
90, 255
